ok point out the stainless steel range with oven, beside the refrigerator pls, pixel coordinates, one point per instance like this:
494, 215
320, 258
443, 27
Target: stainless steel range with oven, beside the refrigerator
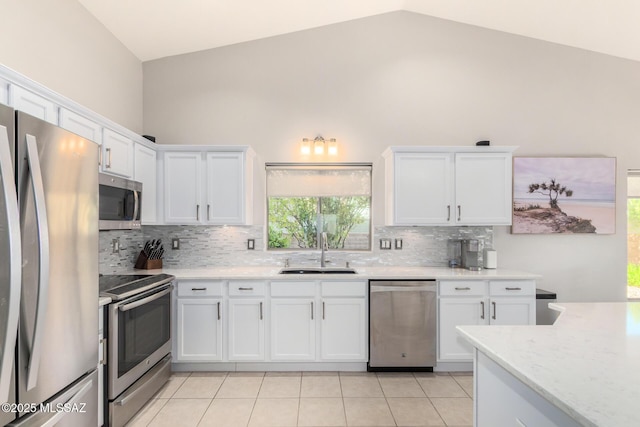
138, 327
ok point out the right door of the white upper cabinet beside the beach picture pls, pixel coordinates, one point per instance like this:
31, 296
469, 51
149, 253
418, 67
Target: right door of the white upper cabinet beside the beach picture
483, 188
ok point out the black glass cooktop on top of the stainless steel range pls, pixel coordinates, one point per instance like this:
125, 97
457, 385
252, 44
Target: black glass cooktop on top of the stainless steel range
121, 286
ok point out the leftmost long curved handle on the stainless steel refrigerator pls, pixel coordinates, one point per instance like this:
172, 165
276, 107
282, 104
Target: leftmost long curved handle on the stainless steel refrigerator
15, 272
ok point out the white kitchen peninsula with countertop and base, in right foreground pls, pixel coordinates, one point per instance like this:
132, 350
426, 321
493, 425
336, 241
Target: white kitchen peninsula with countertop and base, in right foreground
583, 370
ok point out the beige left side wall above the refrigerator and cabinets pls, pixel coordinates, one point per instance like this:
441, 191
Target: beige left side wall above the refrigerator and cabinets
62, 46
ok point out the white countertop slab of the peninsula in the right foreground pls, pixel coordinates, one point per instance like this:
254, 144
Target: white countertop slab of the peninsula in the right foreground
587, 363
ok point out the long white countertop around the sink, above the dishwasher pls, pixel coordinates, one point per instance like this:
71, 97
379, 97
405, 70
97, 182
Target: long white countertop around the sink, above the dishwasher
407, 273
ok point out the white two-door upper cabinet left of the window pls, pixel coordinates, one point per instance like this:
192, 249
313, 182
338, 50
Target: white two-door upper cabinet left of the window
208, 187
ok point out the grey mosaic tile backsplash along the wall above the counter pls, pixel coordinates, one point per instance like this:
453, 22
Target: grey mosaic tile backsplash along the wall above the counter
225, 246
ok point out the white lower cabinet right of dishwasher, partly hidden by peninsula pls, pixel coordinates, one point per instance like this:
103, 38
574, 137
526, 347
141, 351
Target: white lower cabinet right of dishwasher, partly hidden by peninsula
496, 302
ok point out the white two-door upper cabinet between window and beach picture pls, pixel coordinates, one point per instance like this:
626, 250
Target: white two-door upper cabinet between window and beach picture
448, 185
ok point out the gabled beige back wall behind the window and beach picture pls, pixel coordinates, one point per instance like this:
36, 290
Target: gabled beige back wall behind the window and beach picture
408, 79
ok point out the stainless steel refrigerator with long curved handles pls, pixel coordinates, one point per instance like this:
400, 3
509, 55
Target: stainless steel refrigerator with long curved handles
48, 274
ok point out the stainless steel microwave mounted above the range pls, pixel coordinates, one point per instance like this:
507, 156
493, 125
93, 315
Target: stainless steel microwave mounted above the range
119, 203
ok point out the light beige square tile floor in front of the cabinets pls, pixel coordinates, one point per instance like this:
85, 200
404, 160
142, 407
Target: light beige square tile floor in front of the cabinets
311, 399
